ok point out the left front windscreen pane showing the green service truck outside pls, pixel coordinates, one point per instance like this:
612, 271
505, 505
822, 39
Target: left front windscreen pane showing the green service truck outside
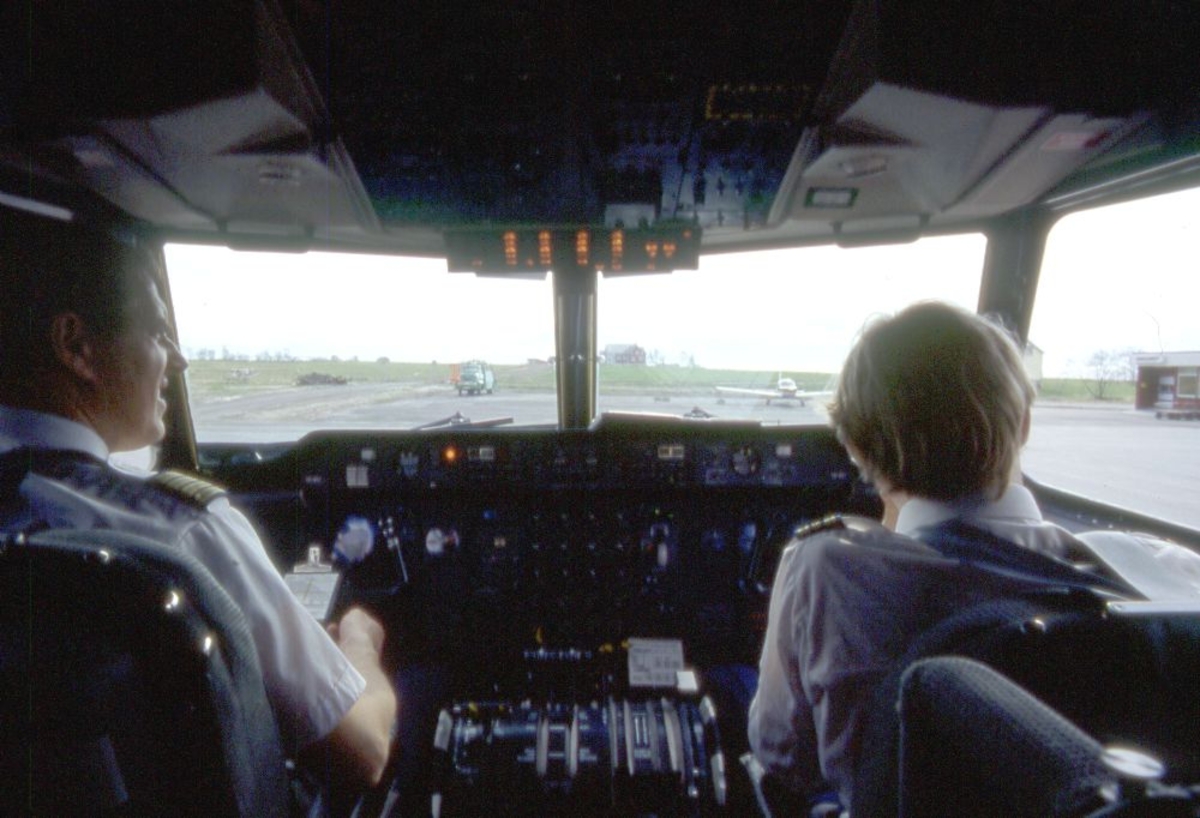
284, 345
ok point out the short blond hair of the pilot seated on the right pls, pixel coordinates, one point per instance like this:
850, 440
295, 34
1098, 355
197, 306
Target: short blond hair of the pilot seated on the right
935, 400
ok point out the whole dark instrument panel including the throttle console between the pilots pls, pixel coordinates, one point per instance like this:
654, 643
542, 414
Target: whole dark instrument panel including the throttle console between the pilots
530, 582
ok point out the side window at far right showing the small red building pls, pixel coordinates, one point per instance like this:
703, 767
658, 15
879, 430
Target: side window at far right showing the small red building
1120, 348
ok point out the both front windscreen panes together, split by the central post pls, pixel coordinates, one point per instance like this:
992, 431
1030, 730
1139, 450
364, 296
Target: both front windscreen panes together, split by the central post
285, 345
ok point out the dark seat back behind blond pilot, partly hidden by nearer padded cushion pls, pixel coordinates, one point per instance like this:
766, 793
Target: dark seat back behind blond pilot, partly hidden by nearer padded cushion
1129, 679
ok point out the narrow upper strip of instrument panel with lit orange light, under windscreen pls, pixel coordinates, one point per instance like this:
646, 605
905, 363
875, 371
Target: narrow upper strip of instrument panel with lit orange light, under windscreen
573, 461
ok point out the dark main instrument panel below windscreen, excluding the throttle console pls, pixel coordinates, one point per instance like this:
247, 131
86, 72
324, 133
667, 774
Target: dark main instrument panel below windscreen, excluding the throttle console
490, 549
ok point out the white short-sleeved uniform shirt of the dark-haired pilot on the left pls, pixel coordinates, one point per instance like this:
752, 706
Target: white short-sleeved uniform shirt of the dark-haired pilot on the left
310, 683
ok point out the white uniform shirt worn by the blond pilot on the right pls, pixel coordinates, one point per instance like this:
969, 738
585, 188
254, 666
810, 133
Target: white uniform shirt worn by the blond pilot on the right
845, 606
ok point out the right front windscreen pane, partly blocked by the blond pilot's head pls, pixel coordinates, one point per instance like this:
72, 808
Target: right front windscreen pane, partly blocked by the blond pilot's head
763, 335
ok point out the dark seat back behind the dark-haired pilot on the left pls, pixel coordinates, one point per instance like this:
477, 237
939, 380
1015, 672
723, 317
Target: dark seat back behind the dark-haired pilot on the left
129, 685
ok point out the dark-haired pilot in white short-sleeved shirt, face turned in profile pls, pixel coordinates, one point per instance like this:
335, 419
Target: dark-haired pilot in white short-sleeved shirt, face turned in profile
87, 356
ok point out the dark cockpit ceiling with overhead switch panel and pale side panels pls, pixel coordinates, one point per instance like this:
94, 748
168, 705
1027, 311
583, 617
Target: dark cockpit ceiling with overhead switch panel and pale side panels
382, 125
